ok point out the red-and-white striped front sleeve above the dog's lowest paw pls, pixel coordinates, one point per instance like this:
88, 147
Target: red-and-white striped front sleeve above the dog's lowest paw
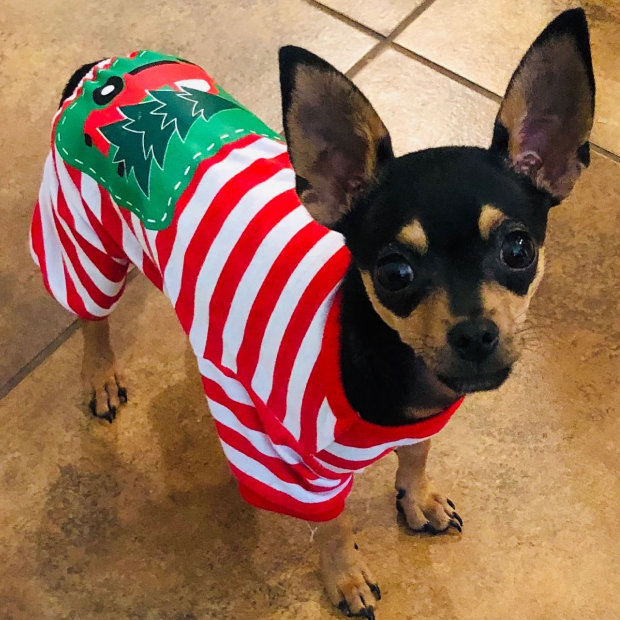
272, 470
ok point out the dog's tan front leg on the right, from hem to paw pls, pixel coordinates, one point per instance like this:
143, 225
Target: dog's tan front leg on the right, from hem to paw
425, 509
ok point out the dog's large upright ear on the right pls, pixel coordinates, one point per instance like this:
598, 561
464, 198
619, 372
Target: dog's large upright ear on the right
544, 122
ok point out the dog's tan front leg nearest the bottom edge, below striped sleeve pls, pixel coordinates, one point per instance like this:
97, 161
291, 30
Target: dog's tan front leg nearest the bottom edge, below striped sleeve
350, 585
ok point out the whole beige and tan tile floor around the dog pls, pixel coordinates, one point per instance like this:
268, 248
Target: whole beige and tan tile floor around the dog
140, 520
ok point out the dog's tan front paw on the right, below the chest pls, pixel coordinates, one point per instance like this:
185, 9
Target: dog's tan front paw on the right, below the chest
428, 511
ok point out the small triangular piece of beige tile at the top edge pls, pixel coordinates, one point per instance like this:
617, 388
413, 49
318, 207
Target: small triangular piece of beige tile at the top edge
380, 15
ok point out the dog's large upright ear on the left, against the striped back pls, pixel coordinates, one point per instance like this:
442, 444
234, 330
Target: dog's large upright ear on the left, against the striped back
336, 141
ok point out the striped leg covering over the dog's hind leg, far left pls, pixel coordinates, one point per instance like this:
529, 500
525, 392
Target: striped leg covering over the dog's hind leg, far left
82, 268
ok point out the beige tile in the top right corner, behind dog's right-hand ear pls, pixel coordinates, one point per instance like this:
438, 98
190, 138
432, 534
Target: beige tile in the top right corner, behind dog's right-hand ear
484, 41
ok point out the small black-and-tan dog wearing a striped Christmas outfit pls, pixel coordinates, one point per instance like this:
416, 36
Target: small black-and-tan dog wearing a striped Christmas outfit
331, 333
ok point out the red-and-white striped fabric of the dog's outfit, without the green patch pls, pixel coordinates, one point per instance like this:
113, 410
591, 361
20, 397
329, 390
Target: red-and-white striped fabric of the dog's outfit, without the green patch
255, 283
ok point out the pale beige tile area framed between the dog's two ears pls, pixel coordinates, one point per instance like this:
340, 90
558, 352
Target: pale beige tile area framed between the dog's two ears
423, 108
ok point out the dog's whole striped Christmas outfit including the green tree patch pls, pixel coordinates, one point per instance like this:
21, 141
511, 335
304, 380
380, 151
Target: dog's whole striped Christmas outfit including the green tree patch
153, 164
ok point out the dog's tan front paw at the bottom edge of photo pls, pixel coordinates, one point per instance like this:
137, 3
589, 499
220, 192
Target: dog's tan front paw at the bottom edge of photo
350, 585
